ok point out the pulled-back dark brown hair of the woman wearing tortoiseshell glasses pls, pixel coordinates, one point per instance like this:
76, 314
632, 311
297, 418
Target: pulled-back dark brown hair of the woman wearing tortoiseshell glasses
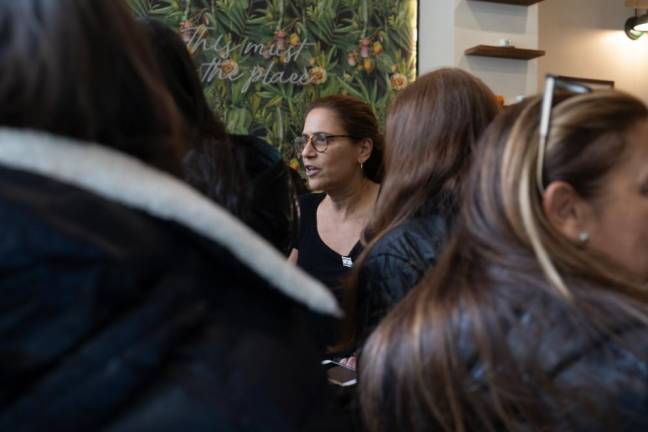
359, 121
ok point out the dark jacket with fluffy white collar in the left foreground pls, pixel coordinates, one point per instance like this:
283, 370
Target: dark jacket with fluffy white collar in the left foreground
130, 303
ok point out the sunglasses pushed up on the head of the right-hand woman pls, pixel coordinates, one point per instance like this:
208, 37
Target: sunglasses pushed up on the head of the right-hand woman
552, 82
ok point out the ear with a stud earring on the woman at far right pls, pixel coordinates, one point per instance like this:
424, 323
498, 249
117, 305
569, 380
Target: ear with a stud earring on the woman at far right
566, 211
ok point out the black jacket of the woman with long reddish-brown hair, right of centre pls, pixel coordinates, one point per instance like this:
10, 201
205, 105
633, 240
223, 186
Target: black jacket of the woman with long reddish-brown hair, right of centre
394, 266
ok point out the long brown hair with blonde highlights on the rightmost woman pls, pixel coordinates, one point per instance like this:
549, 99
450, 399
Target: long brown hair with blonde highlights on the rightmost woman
441, 359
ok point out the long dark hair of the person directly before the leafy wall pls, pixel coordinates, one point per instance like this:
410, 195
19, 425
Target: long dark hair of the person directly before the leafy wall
212, 166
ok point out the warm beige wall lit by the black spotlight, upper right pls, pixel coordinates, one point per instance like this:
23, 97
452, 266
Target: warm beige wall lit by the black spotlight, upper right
585, 38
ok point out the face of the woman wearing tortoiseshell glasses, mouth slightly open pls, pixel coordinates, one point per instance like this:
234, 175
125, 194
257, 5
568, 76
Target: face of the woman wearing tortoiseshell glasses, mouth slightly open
339, 164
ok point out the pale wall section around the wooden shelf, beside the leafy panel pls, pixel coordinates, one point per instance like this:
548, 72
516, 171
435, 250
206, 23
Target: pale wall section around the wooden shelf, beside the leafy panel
448, 27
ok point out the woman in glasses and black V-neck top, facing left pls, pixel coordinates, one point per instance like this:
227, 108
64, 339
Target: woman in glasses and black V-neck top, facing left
340, 148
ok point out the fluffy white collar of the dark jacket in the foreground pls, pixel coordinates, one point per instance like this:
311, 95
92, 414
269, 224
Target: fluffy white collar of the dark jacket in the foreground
124, 179
